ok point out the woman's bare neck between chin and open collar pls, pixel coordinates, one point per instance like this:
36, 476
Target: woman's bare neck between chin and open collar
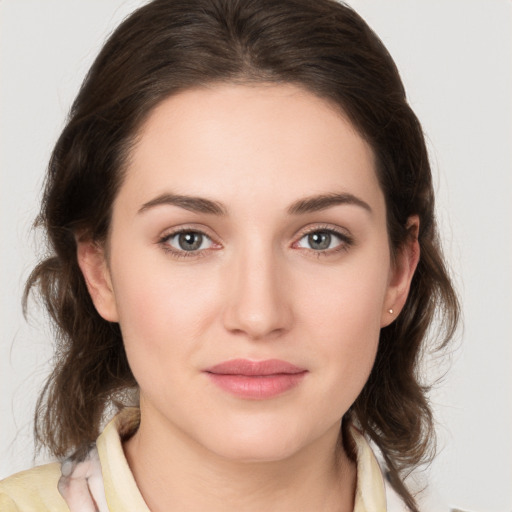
174, 472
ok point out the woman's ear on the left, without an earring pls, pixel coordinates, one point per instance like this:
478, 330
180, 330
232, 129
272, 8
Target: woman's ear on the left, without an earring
93, 264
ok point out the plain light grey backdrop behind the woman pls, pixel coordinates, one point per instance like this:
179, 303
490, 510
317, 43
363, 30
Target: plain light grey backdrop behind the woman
455, 57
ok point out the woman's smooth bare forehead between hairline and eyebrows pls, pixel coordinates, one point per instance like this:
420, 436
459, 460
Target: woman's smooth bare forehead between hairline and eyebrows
239, 143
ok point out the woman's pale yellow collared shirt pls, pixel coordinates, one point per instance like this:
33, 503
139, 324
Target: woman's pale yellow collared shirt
103, 482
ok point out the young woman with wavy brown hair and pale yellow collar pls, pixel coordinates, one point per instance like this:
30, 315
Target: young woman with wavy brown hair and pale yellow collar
245, 249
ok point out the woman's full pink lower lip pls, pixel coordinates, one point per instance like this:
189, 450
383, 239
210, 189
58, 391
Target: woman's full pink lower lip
257, 387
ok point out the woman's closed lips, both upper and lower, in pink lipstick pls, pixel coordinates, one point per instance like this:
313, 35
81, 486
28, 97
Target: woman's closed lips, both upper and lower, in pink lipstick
256, 380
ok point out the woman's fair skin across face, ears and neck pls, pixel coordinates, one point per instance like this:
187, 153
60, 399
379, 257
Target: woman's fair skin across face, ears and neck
255, 289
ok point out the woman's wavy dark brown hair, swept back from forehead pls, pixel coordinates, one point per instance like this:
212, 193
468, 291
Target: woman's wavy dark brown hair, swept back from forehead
168, 46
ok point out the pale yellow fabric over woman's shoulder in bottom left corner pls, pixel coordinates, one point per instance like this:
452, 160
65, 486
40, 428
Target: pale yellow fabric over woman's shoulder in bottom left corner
33, 490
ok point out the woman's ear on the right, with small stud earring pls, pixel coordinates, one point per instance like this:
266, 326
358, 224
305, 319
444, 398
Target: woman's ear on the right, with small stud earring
401, 274
